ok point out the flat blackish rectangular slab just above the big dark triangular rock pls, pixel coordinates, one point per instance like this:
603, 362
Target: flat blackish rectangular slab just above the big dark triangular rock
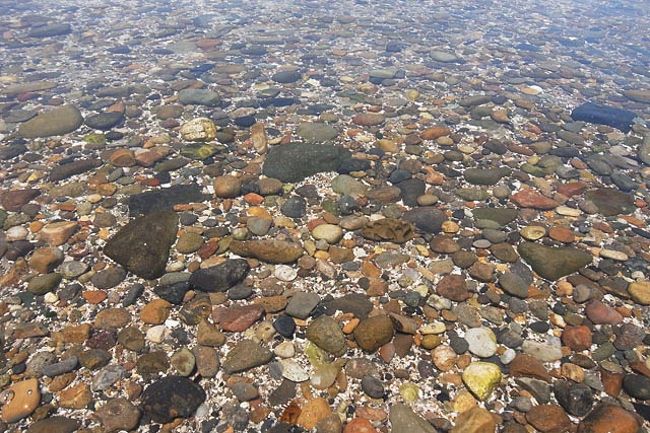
164, 199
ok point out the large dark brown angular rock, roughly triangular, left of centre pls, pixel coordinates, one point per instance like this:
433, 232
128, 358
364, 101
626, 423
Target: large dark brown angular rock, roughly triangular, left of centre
142, 246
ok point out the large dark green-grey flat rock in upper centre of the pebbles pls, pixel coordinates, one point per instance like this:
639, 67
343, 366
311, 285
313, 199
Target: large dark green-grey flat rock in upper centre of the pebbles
296, 161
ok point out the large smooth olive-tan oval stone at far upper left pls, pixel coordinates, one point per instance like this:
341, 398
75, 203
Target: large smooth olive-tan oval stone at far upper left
58, 121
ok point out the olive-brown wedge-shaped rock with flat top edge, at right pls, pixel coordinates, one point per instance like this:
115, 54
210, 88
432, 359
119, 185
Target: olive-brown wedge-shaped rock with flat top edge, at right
553, 263
